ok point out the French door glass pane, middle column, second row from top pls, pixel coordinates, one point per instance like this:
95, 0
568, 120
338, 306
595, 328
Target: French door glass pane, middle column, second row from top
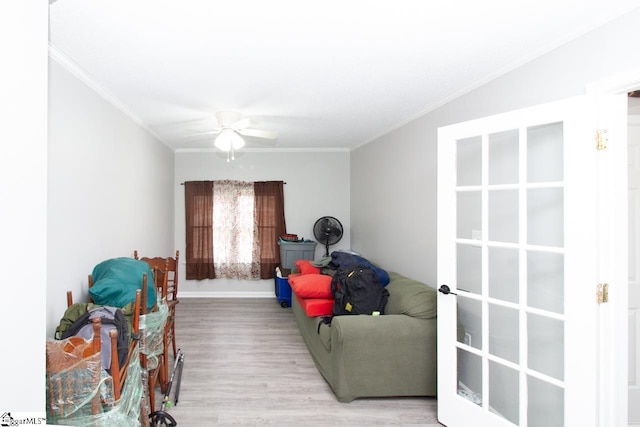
503, 216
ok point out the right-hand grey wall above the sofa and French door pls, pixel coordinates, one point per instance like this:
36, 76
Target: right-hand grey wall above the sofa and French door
393, 179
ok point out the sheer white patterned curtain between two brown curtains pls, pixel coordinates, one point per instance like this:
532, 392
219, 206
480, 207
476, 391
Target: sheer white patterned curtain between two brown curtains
235, 231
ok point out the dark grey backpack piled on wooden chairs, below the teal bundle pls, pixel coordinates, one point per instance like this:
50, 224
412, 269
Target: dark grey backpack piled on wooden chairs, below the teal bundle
111, 318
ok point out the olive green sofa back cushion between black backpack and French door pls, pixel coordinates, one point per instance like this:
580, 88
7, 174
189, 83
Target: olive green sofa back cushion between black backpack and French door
410, 297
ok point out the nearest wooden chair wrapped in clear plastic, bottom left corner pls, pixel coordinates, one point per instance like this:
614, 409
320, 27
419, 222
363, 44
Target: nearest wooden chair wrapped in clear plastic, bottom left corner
74, 371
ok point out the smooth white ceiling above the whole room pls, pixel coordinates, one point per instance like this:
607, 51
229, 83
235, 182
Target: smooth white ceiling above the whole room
330, 74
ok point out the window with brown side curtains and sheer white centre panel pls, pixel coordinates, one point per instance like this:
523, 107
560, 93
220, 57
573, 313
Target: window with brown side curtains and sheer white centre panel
232, 228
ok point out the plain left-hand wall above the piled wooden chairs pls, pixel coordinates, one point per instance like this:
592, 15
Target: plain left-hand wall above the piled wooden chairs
110, 189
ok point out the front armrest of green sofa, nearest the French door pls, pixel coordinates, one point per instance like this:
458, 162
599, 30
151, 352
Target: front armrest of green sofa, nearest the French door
388, 352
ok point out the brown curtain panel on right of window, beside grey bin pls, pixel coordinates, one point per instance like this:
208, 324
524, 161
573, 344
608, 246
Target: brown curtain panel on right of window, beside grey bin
269, 202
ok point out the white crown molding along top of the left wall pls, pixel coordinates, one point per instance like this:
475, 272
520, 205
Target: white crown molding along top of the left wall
68, 64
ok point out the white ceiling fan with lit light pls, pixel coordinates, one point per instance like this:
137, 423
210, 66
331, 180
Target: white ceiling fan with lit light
231, 128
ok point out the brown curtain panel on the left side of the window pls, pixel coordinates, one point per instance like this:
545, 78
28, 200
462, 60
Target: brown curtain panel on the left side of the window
198, 200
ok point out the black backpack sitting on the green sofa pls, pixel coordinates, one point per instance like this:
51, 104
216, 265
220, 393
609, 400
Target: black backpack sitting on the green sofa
357, 290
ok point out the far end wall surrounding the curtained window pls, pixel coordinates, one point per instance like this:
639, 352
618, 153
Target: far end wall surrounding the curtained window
317, 185
